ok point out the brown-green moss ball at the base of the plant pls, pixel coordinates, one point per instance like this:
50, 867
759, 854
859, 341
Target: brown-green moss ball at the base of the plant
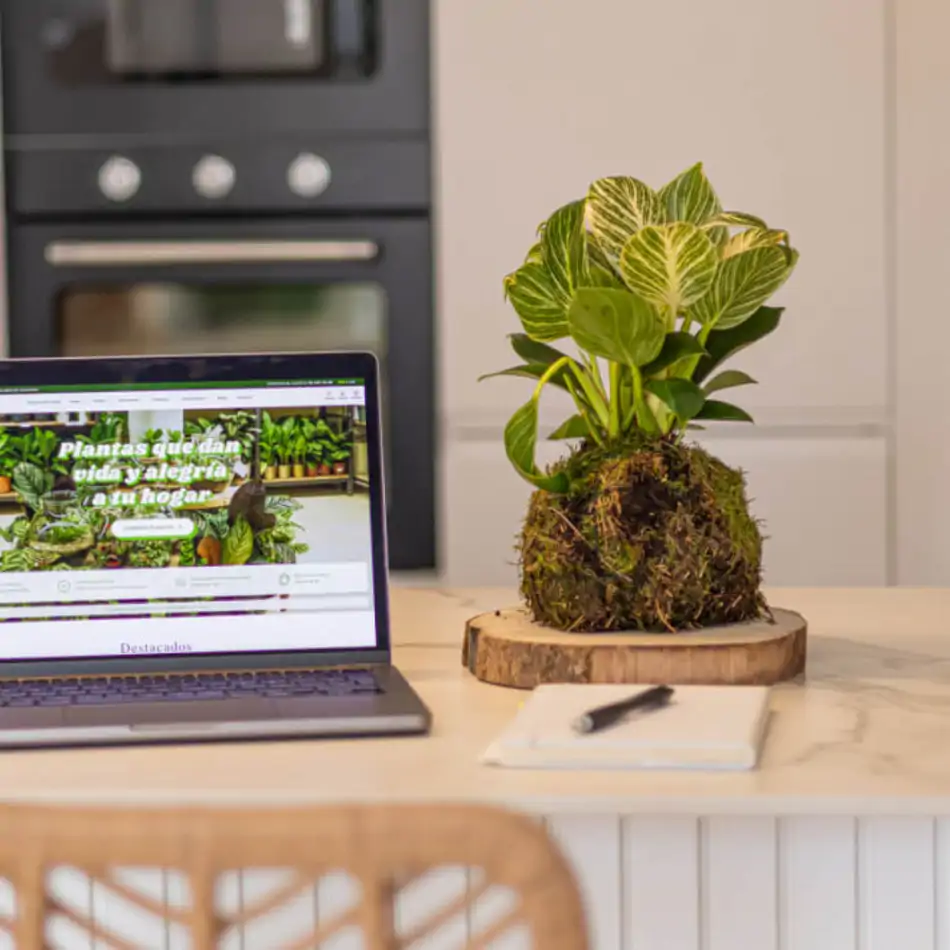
652, 536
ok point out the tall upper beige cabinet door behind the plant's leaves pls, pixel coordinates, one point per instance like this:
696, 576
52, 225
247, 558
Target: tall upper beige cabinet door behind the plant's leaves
784, 102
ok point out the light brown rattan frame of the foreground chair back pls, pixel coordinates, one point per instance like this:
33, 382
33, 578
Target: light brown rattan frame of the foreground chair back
382, 847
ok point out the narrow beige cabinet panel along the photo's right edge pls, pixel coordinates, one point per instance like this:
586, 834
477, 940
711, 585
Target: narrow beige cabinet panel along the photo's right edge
922, 292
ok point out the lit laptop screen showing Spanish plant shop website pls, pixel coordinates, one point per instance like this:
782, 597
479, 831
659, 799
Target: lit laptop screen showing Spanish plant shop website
185, 518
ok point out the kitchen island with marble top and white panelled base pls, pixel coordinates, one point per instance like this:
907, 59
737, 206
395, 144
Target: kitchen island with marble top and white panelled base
838, 840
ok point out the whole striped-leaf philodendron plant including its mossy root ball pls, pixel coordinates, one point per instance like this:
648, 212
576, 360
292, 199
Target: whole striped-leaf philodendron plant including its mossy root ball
637, 528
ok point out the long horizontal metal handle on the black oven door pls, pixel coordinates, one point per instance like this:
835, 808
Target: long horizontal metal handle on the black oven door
159, 253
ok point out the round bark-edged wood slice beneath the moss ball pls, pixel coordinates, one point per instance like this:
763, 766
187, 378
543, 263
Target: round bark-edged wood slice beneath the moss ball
507, 648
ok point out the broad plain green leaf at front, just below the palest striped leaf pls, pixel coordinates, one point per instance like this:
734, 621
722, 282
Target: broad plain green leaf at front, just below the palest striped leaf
616, 325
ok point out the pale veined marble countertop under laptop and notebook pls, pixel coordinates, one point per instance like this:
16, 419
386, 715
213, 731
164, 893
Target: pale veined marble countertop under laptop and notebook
864, 734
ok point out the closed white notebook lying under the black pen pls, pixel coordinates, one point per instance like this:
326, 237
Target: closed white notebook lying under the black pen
703, 727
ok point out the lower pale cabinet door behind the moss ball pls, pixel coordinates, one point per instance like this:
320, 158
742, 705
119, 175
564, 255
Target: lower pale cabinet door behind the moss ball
823, 502
